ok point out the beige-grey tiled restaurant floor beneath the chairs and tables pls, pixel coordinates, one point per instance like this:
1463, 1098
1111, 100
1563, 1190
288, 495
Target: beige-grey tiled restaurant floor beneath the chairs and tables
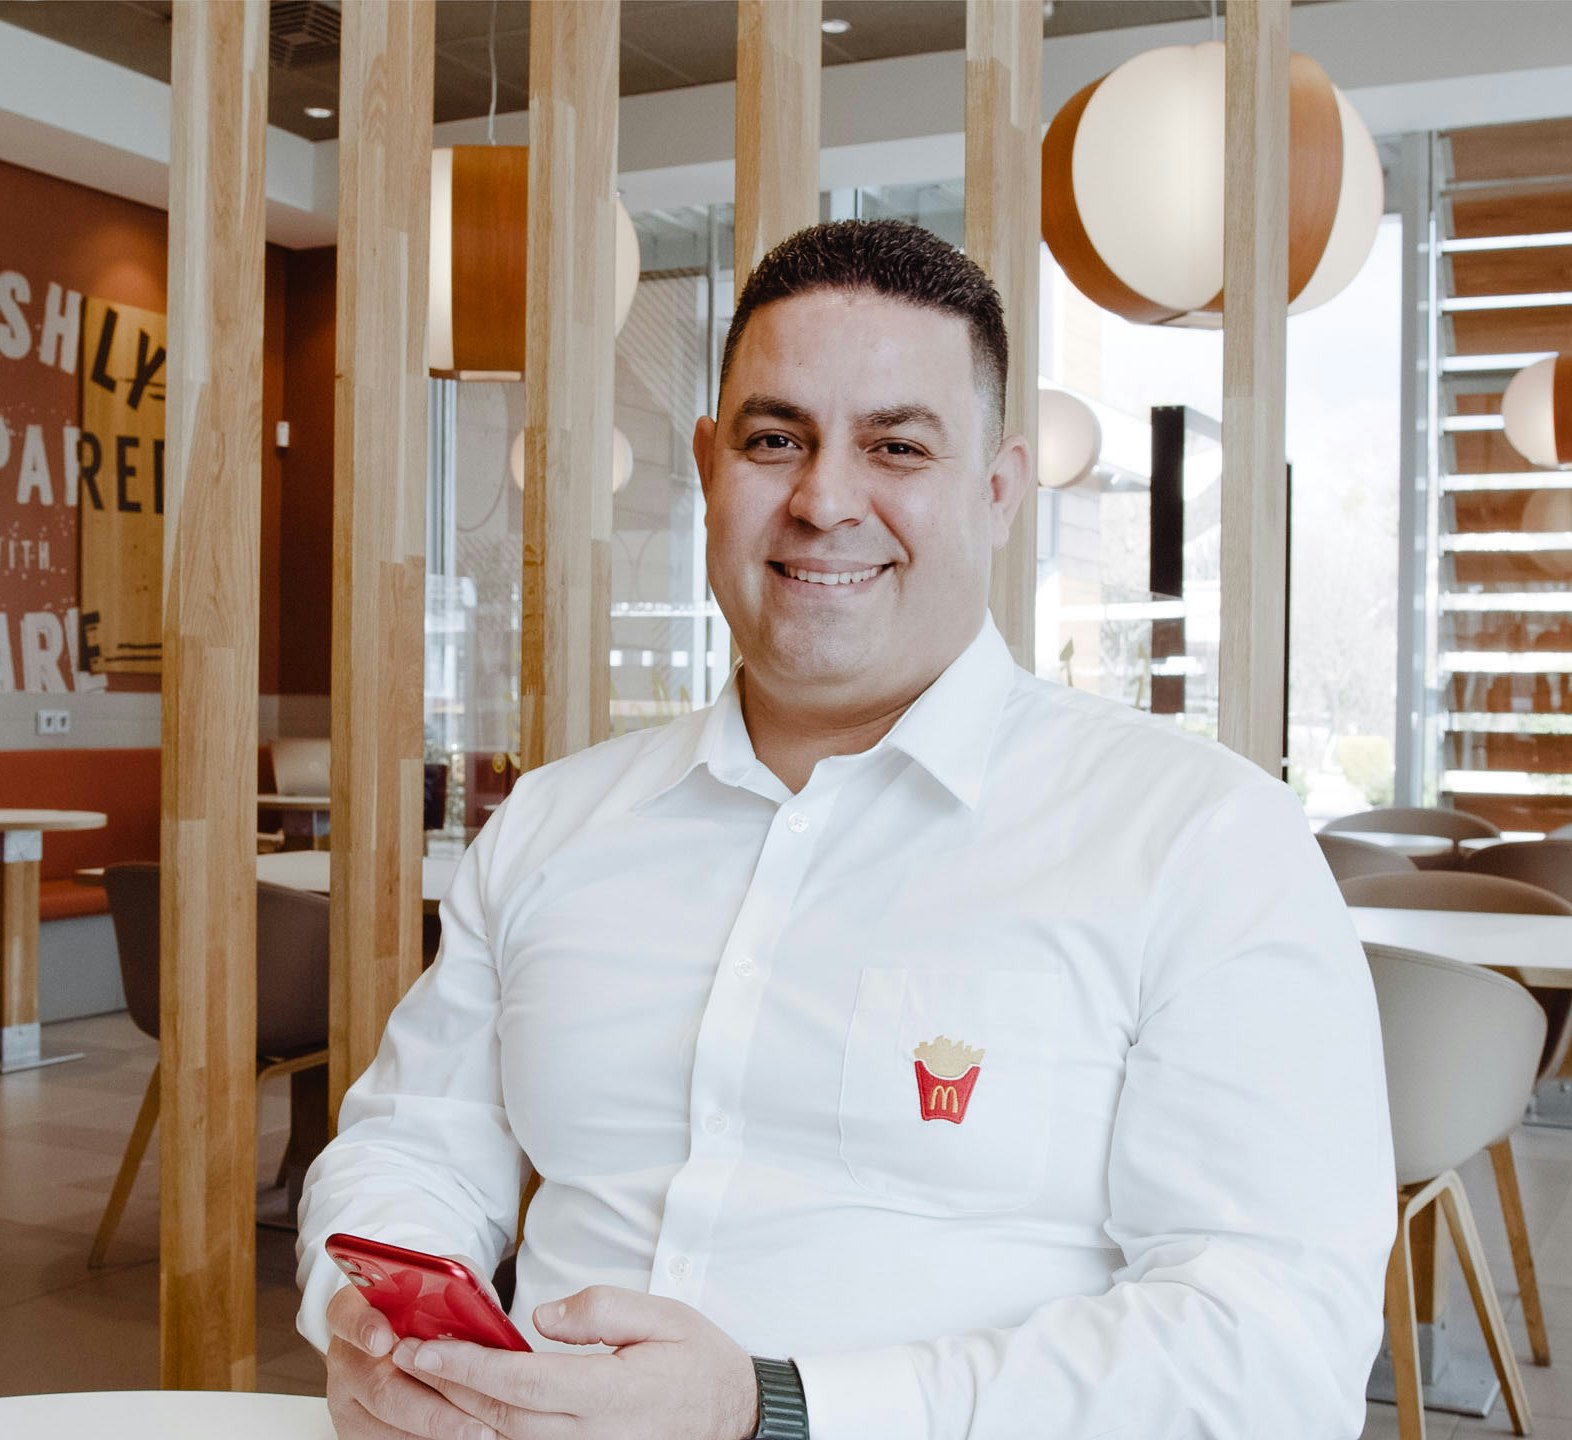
67, 1328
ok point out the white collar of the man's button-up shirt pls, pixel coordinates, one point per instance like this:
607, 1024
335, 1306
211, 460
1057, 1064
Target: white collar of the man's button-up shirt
949, 730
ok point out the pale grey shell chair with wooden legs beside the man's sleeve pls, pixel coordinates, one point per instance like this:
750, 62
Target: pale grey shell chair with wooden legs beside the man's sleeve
1460, 1045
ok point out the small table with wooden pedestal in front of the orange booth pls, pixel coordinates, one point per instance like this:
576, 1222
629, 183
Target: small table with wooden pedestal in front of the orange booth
21, 1040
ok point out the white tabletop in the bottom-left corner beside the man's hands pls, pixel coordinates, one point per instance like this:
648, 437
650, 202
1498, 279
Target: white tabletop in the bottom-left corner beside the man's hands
164, 1416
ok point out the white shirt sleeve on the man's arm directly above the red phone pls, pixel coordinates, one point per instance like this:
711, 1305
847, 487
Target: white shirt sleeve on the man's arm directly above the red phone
425, 1156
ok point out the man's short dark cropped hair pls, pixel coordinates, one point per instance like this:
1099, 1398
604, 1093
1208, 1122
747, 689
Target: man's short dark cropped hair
889, 259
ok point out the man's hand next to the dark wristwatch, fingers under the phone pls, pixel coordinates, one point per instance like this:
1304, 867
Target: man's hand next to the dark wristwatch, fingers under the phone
672, 1376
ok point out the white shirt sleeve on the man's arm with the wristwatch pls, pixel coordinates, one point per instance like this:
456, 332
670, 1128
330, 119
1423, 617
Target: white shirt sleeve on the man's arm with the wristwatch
1251, 1189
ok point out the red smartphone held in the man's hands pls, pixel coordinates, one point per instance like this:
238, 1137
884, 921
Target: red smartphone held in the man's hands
424, 1296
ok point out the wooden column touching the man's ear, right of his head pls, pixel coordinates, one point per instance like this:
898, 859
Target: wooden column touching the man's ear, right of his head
1004, 216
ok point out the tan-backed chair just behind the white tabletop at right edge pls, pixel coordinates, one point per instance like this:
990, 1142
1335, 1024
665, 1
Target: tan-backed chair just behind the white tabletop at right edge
1466, 891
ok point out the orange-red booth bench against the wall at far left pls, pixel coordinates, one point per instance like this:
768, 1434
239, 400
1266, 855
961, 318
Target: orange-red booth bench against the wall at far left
122, 784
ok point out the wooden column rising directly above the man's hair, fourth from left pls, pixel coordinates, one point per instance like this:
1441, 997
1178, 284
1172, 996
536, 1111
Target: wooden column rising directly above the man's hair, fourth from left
777, 127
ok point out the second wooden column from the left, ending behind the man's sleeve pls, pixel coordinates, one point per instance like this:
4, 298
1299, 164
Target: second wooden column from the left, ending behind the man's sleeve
380, 521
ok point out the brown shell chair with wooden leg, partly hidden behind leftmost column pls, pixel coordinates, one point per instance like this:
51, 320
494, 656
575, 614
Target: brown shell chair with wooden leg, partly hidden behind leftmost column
292, 999
